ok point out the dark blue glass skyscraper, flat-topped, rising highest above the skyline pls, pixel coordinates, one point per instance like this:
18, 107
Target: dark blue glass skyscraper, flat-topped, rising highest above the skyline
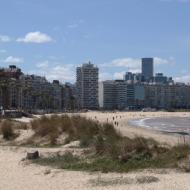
147, 68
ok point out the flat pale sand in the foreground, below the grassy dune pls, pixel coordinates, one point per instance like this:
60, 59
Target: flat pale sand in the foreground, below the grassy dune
16, 175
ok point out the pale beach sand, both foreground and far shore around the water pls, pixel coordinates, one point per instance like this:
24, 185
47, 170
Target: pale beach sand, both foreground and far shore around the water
16, 174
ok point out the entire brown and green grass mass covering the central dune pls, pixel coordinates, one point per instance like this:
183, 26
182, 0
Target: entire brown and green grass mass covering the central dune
111, 151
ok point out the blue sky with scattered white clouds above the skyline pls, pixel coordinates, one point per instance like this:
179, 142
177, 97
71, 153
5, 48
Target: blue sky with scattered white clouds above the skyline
52, 37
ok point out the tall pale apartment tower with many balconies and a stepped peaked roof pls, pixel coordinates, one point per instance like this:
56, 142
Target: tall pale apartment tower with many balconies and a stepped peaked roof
87, 86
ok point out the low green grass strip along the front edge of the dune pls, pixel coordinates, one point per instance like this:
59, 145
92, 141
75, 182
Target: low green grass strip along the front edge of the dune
169, 159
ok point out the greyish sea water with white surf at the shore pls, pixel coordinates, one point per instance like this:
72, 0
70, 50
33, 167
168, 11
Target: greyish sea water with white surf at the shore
179, 125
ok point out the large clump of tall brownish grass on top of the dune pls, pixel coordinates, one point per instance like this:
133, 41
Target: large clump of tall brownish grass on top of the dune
75, 127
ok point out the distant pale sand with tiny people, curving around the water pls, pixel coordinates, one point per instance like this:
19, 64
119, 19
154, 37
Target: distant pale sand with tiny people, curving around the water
124, 117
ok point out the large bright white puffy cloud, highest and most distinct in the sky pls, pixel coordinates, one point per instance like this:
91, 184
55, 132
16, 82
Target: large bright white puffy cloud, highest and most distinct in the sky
35, 37
